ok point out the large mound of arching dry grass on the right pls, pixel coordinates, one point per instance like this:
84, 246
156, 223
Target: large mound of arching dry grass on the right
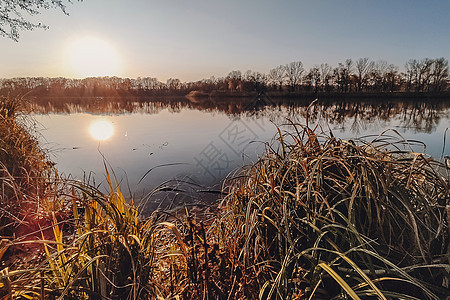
319, 217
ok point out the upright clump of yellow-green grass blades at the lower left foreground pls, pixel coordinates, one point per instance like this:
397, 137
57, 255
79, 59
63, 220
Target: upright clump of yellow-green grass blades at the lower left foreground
112, 251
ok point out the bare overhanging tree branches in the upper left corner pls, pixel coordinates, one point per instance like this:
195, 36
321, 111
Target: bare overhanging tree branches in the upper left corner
13, 15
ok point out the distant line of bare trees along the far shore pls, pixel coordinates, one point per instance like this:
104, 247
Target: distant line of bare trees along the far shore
359, 76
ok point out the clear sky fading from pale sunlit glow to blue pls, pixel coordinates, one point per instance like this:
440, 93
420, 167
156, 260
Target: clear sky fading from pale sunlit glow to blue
196, 39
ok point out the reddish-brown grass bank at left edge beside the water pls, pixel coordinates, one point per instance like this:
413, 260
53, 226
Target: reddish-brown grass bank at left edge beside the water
25, 171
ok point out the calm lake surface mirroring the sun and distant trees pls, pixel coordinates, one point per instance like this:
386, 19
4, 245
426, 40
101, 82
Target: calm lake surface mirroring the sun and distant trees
175, 150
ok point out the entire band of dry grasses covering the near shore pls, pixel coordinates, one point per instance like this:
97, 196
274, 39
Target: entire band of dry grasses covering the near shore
315, 217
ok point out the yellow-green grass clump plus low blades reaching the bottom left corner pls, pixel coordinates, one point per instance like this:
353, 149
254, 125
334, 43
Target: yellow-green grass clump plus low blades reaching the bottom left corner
104, 252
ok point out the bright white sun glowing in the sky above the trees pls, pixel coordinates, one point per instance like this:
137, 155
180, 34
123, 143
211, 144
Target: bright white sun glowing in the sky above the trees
92, 57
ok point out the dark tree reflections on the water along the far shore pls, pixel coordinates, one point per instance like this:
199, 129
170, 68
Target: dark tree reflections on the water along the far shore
418, 115
